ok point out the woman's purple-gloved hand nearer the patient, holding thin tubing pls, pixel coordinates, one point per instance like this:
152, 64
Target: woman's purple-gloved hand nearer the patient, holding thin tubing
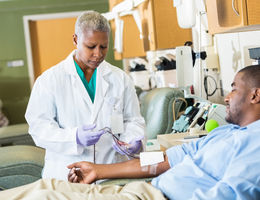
133, 147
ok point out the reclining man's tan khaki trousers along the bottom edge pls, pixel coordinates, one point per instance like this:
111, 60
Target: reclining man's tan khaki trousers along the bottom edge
55, 189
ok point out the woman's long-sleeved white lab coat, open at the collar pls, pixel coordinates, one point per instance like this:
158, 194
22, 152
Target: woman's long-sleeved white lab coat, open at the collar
59, 104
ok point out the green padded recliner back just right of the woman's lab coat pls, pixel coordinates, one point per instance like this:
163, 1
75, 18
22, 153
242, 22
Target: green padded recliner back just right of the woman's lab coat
157, 109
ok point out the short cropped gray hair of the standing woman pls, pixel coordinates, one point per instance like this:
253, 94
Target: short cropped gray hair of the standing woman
91, 20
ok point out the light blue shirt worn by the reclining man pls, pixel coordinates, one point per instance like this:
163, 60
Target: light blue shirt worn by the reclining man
223, 165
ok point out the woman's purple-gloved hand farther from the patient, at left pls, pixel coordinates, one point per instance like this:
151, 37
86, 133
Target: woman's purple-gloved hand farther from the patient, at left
86, 136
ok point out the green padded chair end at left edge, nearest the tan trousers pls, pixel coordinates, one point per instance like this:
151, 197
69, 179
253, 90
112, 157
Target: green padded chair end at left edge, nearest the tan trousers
20, 165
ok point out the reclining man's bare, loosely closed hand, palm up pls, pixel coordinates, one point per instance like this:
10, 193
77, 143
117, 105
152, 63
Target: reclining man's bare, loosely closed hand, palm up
83, 172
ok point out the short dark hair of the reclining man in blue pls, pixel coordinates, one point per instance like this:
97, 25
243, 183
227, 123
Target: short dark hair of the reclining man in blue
251, 75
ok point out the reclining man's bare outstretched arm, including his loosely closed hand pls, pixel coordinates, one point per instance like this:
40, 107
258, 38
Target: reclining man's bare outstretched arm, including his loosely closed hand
86, 172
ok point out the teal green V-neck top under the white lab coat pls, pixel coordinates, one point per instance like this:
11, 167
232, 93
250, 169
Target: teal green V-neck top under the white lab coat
91, 86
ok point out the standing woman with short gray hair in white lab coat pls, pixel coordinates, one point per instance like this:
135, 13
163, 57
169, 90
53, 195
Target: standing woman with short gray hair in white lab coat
73, 101
